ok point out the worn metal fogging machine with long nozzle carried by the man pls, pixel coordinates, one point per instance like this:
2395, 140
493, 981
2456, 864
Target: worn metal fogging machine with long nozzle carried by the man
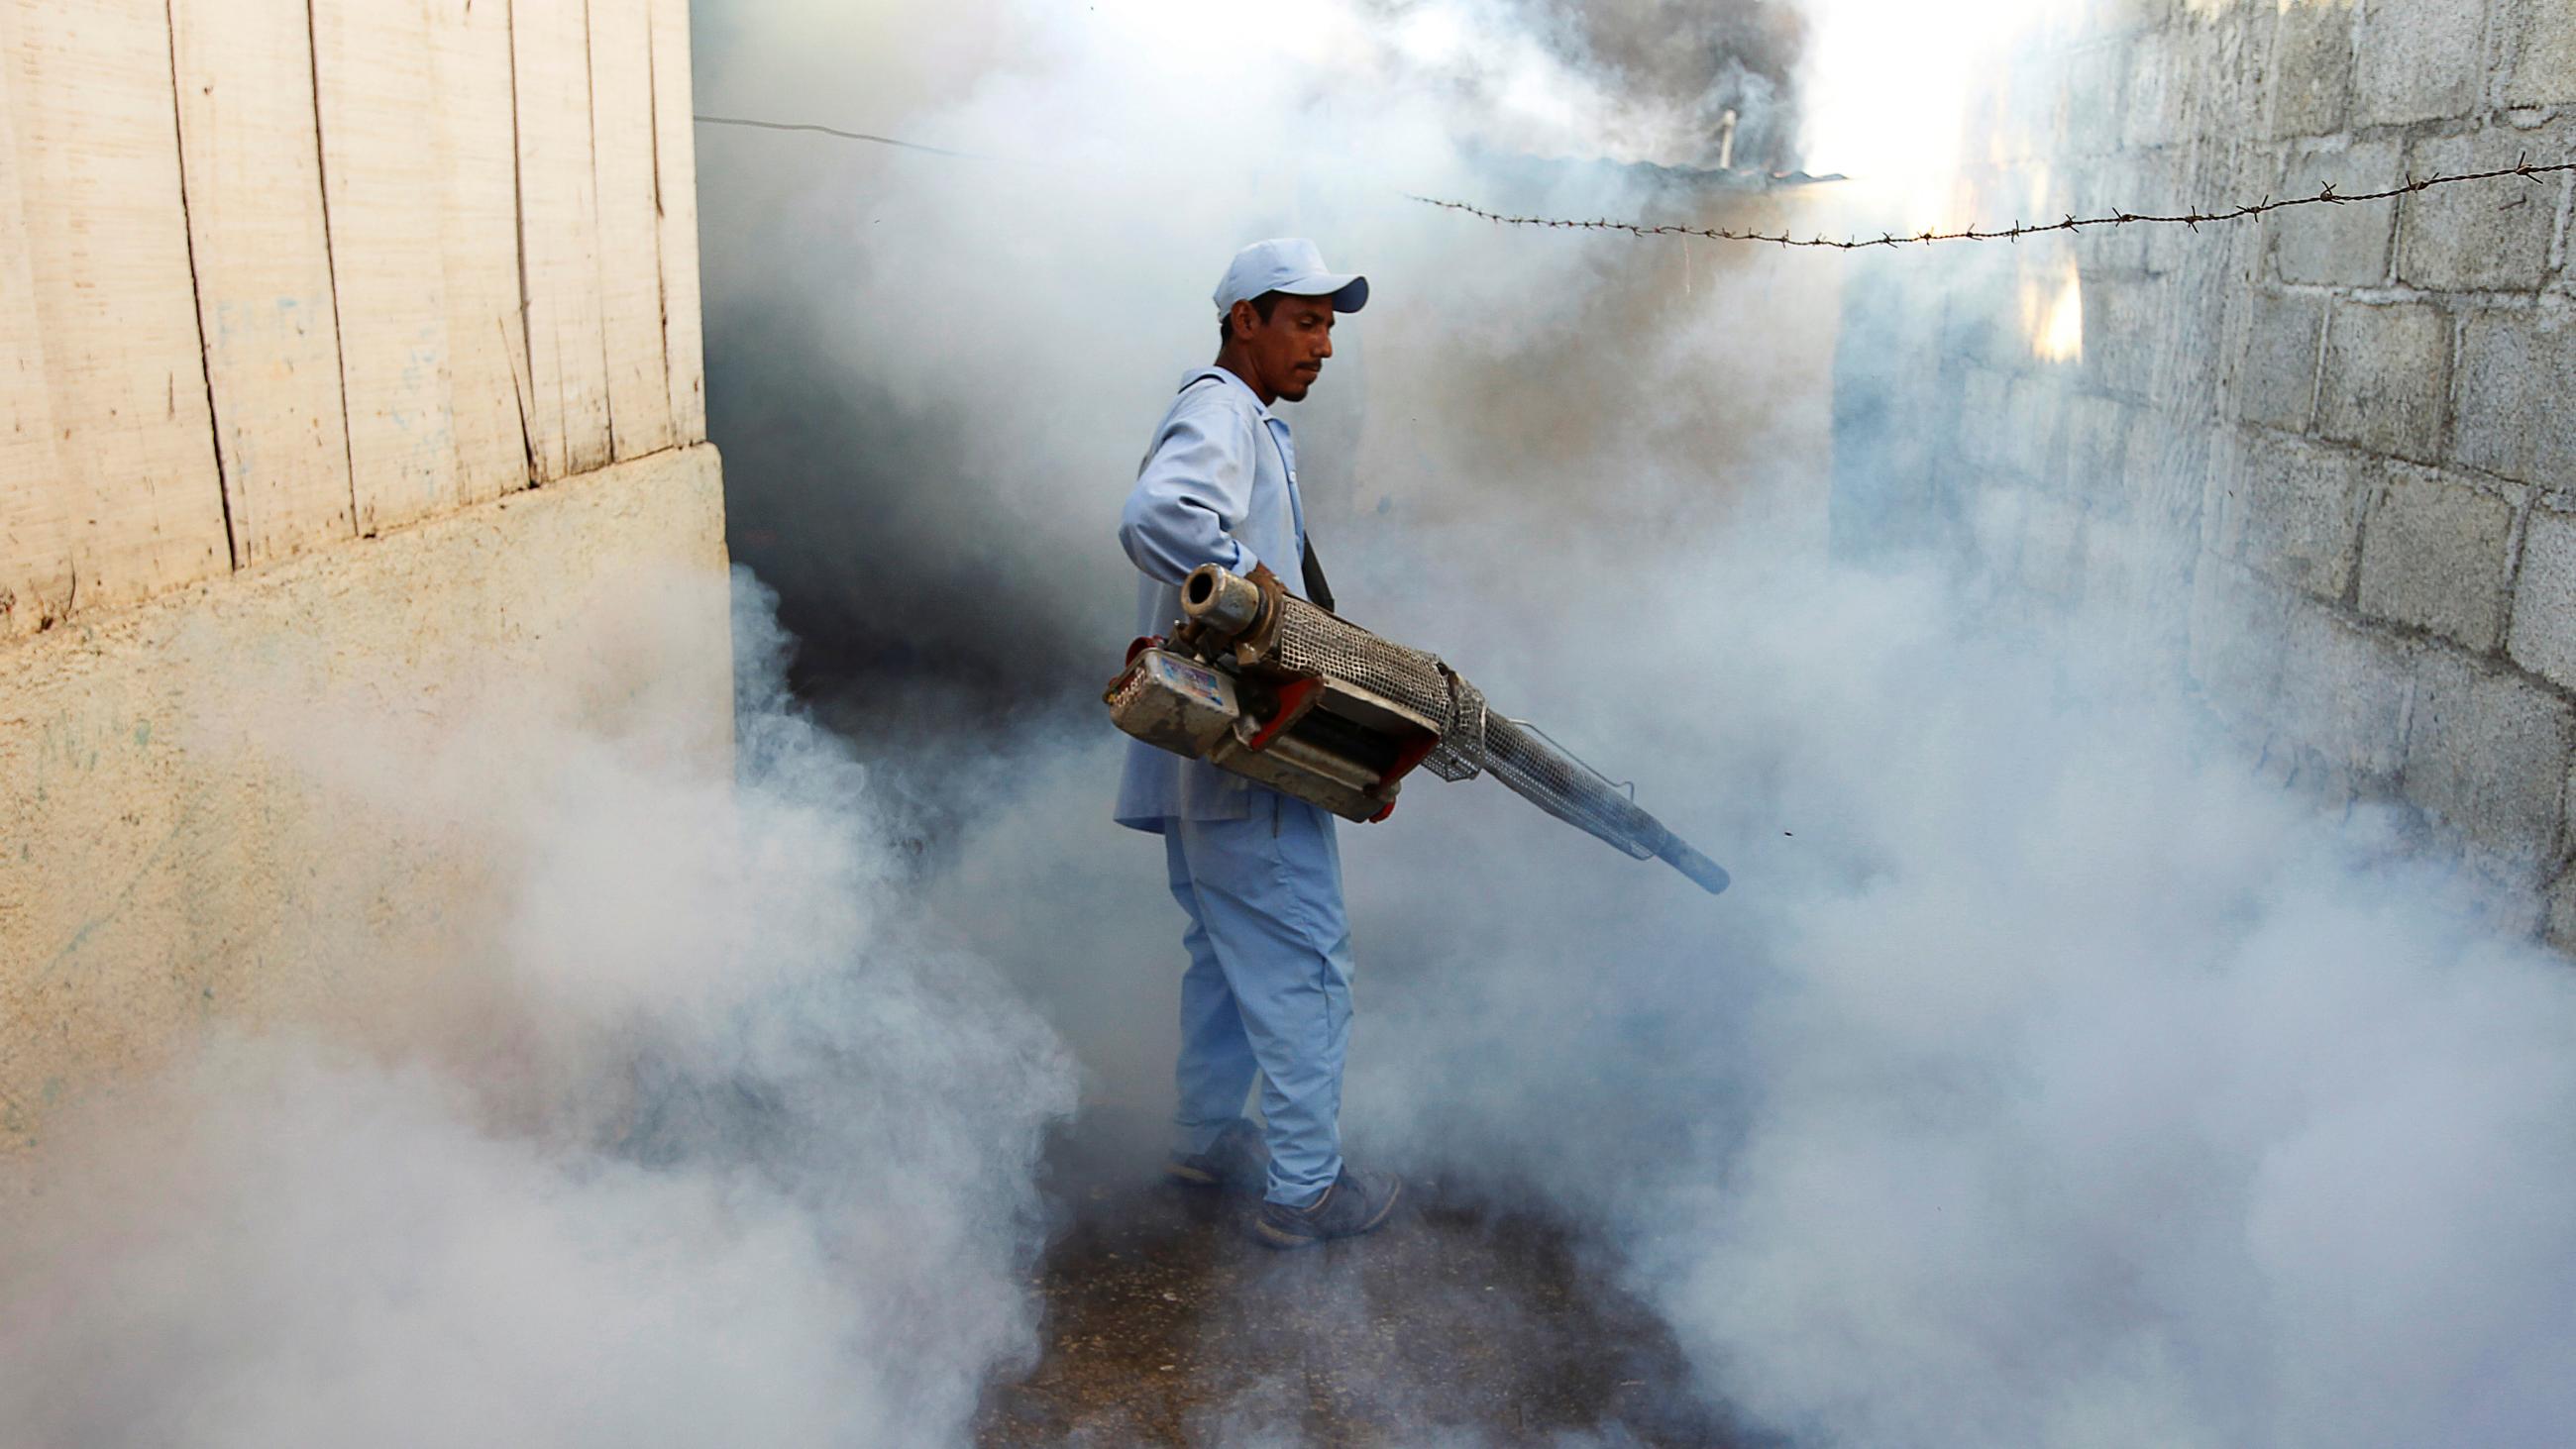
1302, 701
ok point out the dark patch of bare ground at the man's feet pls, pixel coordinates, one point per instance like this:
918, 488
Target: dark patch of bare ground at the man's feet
1452, 1327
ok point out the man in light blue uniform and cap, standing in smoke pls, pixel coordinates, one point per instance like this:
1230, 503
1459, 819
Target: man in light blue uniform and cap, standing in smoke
1256, 874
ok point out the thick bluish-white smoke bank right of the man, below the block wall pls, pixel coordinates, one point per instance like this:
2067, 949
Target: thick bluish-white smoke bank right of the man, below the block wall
2052, 1085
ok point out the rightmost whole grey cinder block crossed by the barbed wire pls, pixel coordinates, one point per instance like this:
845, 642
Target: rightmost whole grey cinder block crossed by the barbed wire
2479, 235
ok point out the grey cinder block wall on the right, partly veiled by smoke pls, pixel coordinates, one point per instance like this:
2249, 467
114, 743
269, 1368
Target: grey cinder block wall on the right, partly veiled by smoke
2320, 452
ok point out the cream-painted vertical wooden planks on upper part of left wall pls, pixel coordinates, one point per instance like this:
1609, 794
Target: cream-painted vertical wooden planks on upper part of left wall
279, 274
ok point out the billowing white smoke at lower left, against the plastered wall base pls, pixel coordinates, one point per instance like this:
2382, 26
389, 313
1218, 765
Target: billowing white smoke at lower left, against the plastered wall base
674, 1131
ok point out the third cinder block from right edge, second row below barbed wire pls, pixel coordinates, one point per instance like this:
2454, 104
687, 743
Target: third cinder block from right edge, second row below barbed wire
2294, 511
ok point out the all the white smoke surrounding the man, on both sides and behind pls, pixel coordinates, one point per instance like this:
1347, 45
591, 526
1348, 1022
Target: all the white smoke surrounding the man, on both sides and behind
2044, 1080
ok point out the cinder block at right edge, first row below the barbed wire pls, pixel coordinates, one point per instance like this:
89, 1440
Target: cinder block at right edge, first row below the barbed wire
2518, 372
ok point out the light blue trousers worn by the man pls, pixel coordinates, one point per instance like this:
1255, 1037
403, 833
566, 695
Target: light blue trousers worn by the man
1269, 984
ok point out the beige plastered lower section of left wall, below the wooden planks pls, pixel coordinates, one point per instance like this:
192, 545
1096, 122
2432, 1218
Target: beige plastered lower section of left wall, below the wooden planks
174, 848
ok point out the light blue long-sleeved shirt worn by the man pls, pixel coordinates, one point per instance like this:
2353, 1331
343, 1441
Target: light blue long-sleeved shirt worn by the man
1217, 488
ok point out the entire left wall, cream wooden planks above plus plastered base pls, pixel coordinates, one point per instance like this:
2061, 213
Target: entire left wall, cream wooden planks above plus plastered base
298, 300
